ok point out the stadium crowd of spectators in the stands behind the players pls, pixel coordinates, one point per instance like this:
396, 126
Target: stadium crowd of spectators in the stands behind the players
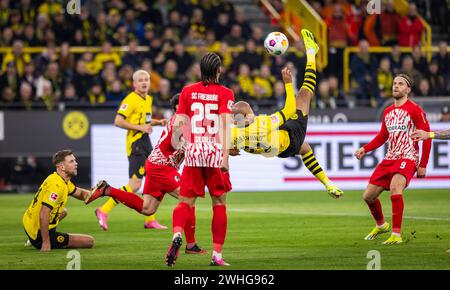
176, 33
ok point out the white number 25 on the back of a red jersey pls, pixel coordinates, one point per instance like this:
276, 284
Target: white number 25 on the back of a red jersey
202, 112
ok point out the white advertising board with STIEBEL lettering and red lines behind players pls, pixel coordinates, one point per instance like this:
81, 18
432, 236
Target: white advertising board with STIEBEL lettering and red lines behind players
333, 144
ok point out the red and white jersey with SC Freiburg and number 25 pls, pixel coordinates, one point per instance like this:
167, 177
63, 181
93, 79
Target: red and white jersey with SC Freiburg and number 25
203, 106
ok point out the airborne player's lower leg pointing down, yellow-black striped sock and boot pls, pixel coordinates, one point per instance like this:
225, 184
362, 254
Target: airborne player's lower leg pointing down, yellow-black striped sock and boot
314, 167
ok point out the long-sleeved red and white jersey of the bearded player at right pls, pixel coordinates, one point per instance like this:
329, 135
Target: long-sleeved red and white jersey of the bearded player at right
398, 124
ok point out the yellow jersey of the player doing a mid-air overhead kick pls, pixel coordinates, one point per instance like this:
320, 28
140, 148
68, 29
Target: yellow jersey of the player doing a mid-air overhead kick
263, 136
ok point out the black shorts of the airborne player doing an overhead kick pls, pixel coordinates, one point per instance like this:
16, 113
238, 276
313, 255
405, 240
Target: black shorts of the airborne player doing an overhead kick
296, 128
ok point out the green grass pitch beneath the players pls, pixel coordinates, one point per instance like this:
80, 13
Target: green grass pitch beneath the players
266, 230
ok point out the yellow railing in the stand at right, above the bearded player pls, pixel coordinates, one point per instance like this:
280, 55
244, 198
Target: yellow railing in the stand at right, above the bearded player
377, 50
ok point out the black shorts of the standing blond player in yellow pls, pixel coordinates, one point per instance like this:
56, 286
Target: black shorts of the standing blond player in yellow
140, 150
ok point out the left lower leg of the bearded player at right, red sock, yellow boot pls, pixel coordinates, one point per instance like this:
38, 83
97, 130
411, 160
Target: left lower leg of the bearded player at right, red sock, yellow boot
371, 198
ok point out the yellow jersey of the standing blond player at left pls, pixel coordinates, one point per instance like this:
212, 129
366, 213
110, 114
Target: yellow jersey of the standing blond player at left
138, 111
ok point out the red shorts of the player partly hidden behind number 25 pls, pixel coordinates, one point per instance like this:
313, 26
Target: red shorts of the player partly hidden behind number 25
160, 180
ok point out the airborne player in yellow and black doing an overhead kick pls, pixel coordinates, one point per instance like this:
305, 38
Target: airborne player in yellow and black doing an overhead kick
283, 133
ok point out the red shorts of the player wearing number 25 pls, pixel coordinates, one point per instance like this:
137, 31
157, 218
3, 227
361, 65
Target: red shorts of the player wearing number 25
194, 179
